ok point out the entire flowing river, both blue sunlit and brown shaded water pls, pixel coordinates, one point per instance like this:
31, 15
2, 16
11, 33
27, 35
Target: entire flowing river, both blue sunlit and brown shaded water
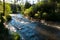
27, 29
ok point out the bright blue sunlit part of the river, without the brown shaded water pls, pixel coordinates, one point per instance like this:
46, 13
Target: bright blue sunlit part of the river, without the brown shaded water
24, 27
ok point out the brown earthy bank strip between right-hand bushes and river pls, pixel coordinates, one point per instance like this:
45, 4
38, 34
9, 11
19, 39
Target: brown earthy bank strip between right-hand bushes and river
44, 22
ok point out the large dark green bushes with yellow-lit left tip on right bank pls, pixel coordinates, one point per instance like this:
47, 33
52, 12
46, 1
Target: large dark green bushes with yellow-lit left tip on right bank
45, 10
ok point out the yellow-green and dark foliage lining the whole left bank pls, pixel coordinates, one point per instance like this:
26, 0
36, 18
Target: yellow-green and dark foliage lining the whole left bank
4, 33
